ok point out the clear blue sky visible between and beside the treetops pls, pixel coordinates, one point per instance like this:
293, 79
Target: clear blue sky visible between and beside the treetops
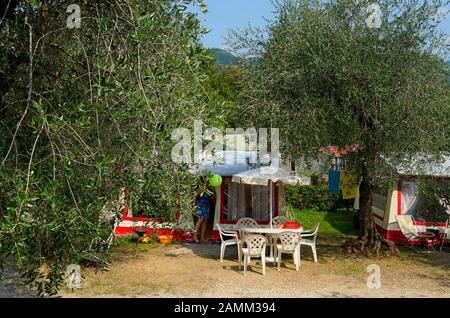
233, 14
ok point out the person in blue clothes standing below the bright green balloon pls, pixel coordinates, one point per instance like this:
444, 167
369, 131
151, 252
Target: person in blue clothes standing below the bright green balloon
203, 206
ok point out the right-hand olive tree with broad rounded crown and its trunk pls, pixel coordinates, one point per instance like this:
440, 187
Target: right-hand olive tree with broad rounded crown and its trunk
325, 77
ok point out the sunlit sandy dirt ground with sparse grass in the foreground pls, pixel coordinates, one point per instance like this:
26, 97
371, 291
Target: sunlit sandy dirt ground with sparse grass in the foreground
146, 271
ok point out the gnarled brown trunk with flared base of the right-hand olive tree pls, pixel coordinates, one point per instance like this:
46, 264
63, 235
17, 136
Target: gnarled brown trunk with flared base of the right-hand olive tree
369, 241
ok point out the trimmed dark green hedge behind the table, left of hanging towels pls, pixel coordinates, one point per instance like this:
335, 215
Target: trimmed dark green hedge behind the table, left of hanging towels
315, 197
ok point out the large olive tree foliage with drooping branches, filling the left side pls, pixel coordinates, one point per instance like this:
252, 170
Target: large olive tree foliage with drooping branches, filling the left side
92, 112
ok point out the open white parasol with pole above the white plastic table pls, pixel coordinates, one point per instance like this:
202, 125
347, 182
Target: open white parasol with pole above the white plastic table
266, 176
